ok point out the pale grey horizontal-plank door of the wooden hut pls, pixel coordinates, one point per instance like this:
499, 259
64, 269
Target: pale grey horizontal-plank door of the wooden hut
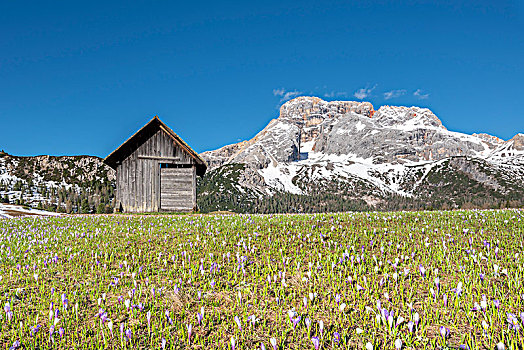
176, 189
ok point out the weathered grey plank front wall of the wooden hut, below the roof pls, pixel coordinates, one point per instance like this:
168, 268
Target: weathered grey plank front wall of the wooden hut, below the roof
139, 175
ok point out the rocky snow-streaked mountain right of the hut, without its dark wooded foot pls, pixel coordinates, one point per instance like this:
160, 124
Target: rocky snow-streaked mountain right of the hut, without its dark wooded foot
348, 148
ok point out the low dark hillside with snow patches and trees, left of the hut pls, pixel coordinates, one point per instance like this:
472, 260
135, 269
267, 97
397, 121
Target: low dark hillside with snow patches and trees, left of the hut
59, 183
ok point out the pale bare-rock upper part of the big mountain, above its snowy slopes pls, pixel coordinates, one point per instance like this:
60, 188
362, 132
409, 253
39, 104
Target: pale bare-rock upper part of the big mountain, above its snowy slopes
311, 127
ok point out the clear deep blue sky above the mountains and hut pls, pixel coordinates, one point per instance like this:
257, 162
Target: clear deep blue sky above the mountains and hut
80, 77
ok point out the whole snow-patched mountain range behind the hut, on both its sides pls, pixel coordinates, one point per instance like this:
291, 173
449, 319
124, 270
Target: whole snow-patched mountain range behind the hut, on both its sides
315, 156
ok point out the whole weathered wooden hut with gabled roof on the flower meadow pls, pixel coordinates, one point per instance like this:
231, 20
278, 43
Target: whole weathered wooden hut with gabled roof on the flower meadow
155, 171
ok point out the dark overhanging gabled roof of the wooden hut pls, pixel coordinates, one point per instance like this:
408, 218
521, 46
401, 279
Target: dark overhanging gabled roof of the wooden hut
155, 124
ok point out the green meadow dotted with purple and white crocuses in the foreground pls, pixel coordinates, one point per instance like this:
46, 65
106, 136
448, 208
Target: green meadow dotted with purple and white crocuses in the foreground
122, 268
